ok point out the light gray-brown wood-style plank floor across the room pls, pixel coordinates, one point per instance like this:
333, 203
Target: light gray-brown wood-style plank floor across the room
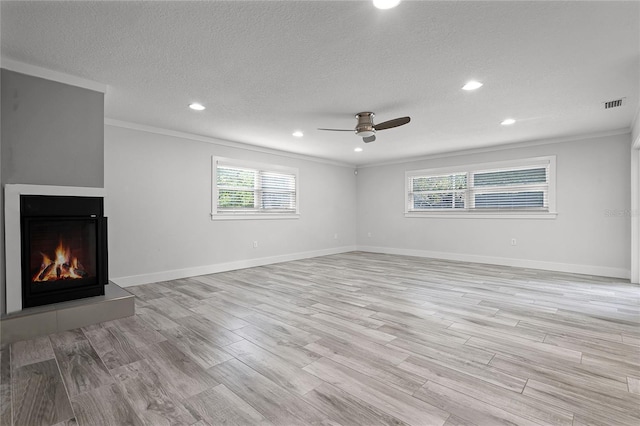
350, 339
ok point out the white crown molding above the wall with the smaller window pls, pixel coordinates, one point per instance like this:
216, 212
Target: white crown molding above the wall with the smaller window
239, 145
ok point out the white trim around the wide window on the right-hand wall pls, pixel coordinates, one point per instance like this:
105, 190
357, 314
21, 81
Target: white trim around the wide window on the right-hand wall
549, 161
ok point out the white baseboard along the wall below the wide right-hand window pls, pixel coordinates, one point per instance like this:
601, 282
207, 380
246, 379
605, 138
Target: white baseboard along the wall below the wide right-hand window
603, 271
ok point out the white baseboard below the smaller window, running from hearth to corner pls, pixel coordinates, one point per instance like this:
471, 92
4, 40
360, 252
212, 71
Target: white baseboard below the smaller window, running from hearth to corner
222, 267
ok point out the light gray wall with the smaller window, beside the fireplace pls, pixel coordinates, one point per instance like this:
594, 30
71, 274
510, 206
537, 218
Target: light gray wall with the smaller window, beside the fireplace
159, 199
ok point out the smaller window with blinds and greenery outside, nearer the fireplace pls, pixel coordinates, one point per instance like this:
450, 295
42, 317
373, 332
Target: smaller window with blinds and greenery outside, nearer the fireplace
244, 190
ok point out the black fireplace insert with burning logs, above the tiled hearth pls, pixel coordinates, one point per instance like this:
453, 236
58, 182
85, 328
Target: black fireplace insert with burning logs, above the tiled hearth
64, 248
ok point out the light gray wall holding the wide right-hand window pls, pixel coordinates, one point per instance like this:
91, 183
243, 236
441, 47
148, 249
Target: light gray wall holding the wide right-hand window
588, 236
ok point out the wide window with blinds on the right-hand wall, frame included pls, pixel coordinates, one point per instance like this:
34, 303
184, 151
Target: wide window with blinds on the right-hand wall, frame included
517, 188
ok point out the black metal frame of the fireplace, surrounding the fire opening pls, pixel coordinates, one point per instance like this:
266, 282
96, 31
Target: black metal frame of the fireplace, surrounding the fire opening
39, 208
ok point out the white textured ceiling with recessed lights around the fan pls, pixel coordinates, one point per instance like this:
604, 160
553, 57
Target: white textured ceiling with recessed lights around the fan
264, 69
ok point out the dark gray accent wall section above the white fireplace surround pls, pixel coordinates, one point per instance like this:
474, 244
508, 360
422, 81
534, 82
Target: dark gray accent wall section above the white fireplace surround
52, 133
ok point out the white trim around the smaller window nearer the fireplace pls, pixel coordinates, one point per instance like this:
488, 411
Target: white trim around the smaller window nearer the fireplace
243, 215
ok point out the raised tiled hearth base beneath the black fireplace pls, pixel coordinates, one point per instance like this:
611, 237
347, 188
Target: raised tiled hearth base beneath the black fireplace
42, 320
